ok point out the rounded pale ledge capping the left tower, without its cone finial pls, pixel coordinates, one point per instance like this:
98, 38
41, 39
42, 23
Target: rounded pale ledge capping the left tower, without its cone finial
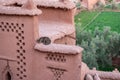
11, 10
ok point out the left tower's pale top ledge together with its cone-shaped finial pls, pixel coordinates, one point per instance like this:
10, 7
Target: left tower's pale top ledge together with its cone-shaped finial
27, 9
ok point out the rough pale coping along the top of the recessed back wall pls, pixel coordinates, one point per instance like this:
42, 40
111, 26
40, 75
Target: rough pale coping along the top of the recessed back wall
52, 3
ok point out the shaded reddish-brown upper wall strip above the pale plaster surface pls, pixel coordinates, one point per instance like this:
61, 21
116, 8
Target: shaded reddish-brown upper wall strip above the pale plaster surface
57, 15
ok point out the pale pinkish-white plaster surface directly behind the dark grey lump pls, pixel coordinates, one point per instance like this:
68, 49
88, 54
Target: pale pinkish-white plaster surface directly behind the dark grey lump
55, 30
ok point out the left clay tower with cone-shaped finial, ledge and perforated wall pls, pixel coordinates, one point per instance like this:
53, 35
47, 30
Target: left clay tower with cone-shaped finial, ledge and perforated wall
18, 27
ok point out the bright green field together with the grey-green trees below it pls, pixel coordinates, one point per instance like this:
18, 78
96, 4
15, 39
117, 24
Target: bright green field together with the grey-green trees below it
102, 43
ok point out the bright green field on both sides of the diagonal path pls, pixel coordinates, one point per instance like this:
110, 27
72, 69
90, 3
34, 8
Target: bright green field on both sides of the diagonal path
111, 19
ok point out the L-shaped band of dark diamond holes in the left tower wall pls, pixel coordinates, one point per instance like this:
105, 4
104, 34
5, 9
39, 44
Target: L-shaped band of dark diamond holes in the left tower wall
19, 30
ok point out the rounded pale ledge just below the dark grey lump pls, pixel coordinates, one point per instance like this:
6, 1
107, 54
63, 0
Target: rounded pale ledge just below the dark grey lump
59, 48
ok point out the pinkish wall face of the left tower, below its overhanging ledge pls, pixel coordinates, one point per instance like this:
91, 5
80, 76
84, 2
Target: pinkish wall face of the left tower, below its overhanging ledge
17, 39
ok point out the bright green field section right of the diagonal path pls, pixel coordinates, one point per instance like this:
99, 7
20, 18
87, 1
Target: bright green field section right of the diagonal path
111, 19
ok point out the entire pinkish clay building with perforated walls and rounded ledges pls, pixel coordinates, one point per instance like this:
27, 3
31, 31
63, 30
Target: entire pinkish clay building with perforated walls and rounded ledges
37, 42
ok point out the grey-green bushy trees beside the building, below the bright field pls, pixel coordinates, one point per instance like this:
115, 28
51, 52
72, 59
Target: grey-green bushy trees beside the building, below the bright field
100, 46
